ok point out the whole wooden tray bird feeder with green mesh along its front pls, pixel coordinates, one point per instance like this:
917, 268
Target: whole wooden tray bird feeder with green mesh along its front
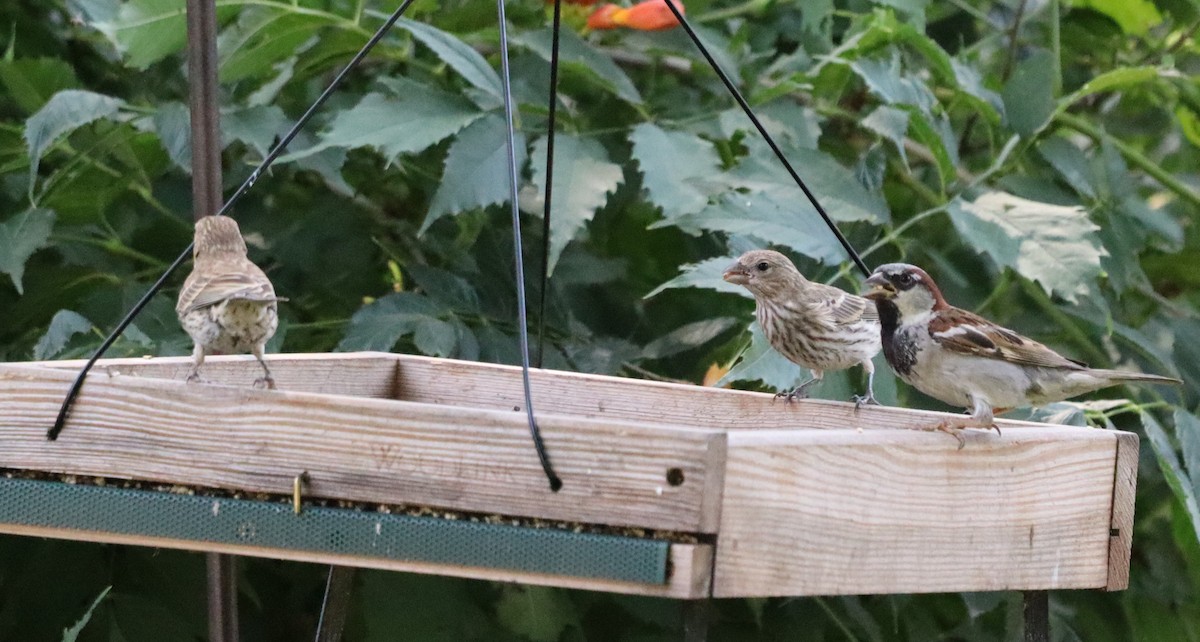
669, 490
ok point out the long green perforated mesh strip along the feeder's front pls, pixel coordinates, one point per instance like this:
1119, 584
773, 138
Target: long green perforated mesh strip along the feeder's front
334, 531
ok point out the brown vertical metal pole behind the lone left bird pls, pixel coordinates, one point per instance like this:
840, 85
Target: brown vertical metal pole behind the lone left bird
202, 83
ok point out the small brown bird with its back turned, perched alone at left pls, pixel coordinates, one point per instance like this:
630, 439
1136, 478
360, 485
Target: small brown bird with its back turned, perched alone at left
227, 304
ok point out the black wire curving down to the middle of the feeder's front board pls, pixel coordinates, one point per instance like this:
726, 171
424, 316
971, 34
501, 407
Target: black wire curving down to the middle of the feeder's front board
519, 265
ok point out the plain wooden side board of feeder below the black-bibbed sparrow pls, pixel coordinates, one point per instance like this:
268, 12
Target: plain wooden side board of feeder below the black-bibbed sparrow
825, 513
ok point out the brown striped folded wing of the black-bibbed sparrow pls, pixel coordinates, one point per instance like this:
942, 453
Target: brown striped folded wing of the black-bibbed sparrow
971, 334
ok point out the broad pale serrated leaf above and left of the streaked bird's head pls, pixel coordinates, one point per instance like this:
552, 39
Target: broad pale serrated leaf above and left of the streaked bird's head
676, 167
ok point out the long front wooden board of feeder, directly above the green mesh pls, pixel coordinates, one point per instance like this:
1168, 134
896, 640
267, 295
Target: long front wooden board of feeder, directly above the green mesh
361, 449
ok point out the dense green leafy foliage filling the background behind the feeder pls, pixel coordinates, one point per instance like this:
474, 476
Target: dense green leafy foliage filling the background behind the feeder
1037, 157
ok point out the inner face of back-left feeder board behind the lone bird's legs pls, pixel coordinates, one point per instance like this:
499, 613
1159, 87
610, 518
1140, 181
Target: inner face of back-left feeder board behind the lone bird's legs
364, 375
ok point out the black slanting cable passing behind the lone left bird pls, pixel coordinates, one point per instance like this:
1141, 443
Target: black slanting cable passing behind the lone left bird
53, 434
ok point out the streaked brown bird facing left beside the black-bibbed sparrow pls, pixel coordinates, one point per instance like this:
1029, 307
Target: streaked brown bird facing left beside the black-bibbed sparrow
814, 326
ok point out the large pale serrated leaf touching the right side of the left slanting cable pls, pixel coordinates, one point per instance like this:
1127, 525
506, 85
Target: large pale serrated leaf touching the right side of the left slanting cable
418, 117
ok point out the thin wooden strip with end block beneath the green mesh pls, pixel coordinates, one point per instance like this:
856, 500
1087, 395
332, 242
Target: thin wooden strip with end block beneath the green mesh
689, 580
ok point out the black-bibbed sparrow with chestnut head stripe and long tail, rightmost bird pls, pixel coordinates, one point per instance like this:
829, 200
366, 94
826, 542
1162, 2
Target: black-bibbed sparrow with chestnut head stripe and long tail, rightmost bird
963, 359
